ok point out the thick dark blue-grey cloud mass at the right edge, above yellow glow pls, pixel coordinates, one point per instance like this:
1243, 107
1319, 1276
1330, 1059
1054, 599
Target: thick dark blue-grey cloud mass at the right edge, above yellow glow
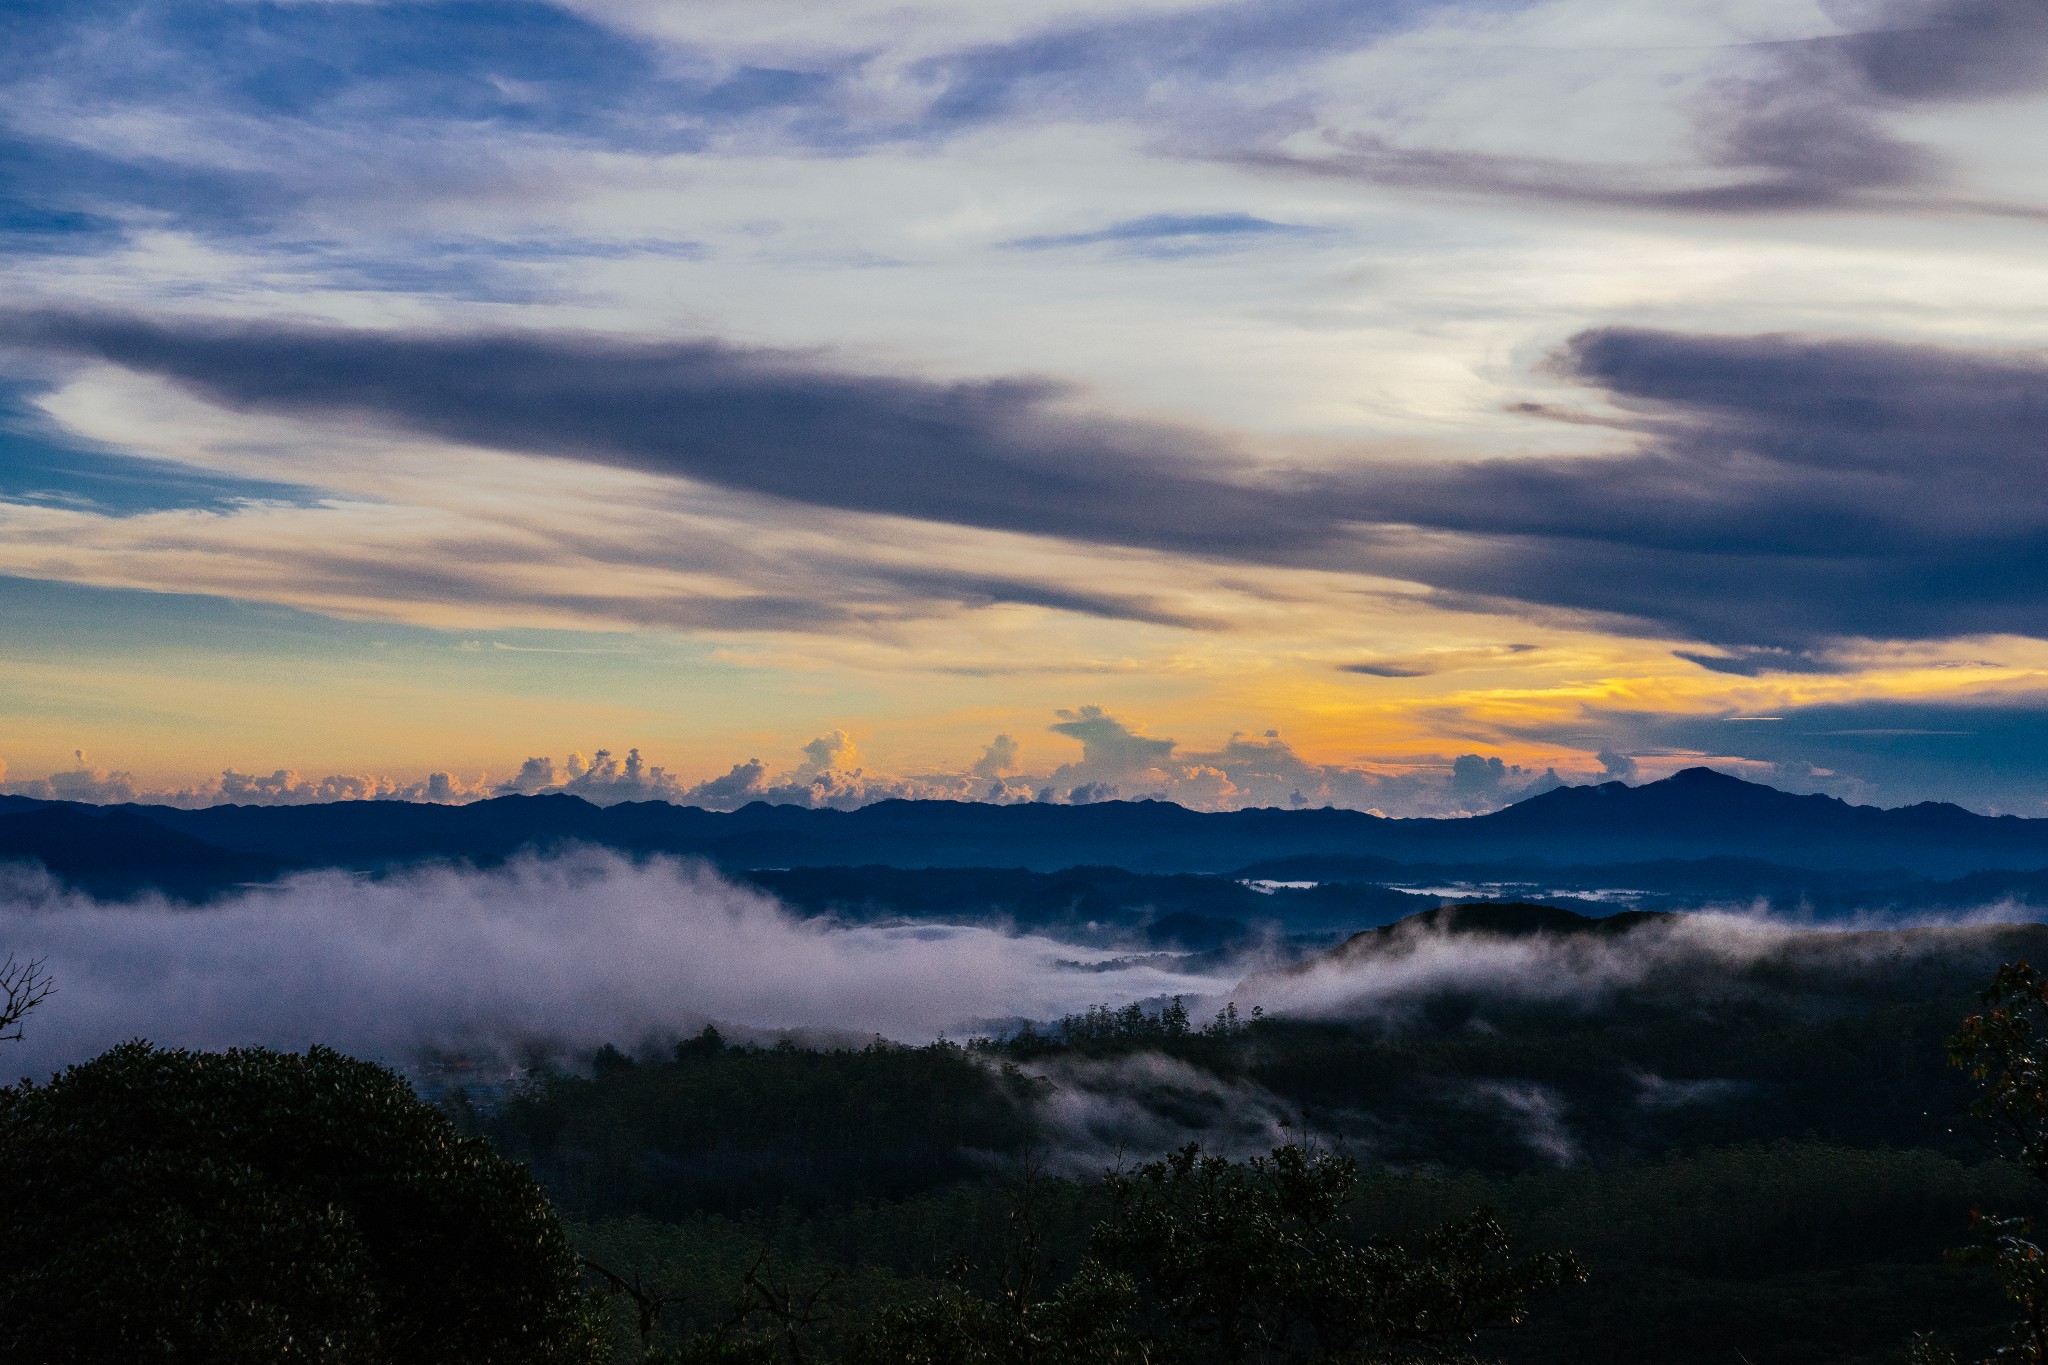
1787, 494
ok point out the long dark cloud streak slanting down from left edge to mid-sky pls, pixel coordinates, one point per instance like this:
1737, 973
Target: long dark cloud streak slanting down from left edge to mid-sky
998, 455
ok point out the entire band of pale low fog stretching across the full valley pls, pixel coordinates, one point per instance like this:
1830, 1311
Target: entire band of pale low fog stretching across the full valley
583, 949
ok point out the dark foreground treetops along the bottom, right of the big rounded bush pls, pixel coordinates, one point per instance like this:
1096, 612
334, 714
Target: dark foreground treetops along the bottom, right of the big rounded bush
1191, 1262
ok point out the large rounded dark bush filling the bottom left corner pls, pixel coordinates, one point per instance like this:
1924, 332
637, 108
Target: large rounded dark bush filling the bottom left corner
261, 1206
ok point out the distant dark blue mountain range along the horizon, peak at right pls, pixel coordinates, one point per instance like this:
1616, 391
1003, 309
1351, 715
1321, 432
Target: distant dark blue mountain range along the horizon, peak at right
1693, 818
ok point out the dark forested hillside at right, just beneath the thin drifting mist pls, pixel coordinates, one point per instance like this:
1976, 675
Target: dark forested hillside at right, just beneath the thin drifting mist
1840, 1039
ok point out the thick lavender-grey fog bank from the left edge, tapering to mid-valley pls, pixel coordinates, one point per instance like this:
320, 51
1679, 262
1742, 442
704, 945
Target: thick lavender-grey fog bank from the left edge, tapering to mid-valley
570, 951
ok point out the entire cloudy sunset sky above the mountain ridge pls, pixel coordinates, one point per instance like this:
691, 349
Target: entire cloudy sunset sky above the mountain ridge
1385, 404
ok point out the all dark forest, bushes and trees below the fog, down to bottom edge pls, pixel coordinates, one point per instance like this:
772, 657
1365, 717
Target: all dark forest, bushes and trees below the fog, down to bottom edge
1764, 1165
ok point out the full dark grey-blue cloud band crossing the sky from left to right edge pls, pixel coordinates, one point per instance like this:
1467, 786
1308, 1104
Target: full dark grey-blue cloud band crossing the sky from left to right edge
1785, 494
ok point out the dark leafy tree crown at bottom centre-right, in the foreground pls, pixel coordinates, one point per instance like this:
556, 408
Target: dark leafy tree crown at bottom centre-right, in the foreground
1207, 1262
